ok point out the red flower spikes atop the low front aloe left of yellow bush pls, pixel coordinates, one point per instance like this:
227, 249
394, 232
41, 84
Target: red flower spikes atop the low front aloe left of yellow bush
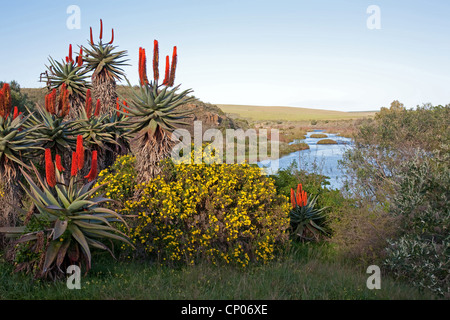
77, 163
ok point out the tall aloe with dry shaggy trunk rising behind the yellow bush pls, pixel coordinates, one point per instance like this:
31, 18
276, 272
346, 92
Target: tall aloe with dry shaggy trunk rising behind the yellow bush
153, 115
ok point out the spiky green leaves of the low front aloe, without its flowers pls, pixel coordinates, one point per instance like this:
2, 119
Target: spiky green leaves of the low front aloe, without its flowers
78, 222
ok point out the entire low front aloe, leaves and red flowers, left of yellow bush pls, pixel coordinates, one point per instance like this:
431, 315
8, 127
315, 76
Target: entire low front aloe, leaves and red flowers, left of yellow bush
74, 221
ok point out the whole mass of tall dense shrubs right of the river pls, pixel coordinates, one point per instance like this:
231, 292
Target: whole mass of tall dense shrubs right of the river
400, 179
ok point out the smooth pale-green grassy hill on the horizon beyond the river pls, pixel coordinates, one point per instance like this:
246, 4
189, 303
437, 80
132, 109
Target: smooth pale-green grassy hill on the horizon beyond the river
289, 113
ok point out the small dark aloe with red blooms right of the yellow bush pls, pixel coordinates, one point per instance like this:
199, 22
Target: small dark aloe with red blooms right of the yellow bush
305, 219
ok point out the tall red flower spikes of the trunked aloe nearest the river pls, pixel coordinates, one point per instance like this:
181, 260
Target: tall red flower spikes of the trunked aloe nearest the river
169, 76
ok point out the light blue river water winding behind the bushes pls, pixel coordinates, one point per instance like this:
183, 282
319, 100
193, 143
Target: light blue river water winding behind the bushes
320, 158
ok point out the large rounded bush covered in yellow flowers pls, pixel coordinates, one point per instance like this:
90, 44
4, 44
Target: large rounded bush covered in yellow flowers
221, 213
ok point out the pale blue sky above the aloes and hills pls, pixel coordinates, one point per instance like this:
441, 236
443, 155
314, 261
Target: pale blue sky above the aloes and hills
317, 54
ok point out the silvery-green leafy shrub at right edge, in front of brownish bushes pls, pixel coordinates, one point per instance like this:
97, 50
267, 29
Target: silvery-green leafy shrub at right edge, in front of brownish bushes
422, 254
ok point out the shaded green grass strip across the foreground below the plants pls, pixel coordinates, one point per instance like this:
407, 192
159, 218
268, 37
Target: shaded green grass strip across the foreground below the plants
306, 272
